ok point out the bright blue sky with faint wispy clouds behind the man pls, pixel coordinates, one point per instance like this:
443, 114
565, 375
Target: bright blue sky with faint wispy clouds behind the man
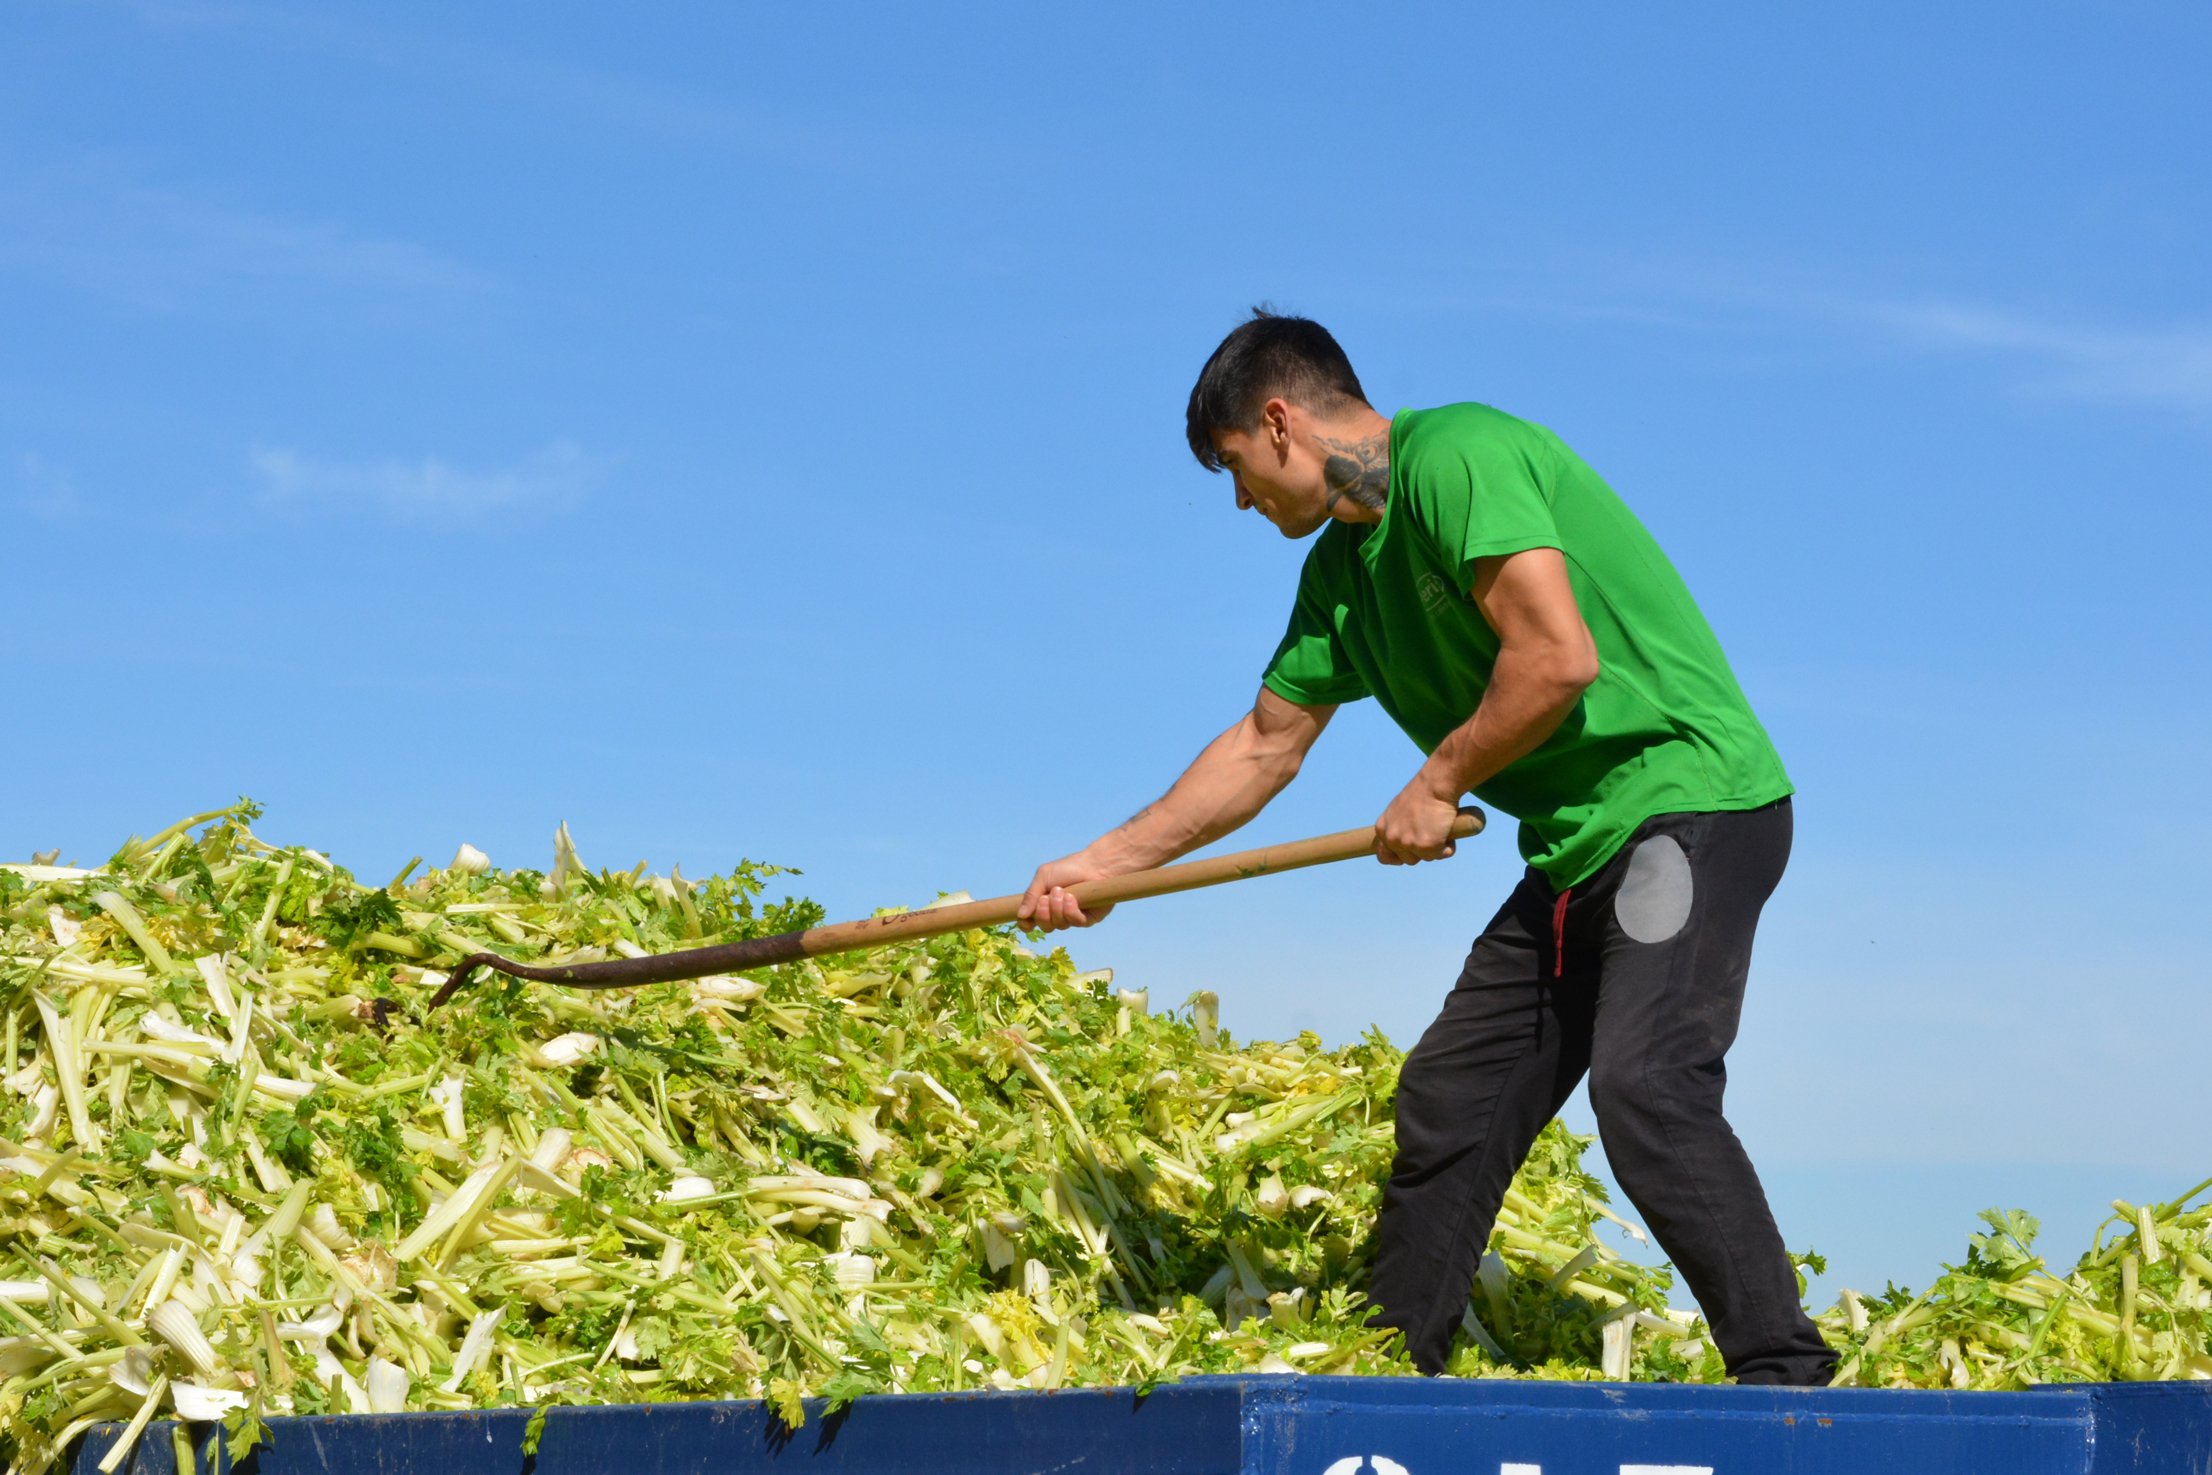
758, 432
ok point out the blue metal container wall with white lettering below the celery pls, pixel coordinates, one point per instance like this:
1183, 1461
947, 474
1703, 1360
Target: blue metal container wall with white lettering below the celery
1280, 1427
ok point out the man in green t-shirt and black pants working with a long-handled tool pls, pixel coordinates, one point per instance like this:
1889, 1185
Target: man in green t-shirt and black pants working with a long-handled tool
1481, 583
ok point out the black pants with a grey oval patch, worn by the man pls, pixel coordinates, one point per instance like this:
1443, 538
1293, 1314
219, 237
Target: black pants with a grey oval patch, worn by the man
1636, 979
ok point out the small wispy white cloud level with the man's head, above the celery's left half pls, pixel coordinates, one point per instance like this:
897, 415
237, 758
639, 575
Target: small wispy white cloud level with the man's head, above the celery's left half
426, 490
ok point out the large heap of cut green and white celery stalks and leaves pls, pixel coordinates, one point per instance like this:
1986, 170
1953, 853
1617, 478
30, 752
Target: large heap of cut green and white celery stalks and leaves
242, 1173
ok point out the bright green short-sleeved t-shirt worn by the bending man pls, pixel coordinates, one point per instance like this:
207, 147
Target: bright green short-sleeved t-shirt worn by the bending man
1386, 611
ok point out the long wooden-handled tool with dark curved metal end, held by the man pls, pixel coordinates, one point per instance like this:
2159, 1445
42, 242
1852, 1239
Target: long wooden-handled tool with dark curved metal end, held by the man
930, 921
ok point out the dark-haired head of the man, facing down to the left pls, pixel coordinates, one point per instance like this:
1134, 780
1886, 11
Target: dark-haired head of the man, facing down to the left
1273, 408
